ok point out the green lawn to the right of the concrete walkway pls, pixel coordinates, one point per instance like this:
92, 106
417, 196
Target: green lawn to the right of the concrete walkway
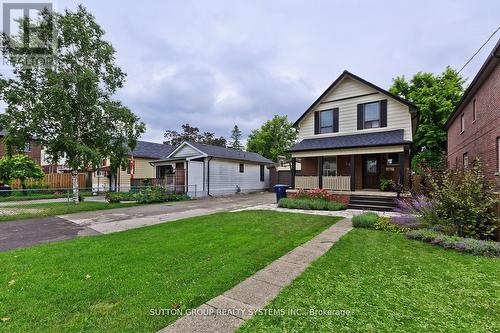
390, 284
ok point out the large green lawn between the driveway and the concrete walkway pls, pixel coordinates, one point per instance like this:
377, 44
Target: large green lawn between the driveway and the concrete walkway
182, 263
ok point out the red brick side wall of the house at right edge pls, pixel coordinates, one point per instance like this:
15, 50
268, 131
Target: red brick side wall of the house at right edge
479, 138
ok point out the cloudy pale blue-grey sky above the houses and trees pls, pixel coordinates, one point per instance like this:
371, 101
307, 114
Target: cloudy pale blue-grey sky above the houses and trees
214, 64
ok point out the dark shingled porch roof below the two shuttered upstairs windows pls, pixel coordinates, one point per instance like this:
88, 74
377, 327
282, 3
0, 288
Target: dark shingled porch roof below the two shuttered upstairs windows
386, 138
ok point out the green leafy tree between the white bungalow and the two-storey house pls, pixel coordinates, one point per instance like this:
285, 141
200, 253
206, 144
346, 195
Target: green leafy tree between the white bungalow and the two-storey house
273, 139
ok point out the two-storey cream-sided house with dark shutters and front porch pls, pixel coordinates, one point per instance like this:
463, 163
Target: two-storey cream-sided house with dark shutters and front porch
352, 136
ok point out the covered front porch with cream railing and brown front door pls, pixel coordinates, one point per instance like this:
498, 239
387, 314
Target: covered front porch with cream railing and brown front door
361, 170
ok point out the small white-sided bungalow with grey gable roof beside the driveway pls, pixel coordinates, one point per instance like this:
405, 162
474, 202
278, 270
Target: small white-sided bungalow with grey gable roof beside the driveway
206, 170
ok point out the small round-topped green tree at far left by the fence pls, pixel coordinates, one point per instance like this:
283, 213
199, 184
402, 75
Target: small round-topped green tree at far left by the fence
19, 167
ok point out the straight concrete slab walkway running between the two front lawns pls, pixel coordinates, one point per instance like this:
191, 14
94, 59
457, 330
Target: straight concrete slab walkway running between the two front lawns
227, 312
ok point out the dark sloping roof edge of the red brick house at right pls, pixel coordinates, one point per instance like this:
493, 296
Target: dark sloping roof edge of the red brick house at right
490, 63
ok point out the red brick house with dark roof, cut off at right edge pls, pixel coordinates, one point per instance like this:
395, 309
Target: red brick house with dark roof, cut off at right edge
474, 127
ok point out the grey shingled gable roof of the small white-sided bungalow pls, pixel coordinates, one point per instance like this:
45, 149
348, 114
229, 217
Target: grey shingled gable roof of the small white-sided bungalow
221, 152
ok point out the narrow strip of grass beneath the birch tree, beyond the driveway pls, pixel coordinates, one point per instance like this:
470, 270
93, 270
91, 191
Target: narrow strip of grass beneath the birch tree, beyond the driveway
59, 208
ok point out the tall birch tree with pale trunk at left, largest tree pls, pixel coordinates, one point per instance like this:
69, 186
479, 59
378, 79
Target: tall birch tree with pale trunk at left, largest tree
68, 103
